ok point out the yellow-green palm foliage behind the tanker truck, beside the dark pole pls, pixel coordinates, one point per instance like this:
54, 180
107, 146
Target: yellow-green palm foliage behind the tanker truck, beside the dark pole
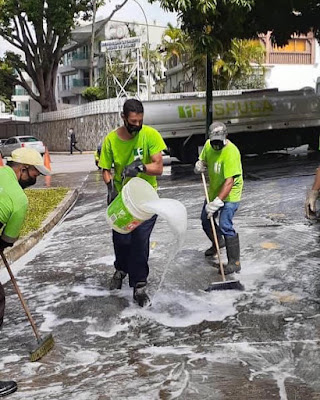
239, 66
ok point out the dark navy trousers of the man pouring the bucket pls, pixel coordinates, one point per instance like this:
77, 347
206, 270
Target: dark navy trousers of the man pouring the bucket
132, 251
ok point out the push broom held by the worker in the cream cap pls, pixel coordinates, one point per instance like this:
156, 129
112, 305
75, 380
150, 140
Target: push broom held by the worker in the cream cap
44, 345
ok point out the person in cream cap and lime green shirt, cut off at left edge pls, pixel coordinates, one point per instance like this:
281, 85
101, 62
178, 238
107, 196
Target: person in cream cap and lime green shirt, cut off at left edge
21, 171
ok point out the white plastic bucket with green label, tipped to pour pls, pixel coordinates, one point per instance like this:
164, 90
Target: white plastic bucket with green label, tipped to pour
124, 214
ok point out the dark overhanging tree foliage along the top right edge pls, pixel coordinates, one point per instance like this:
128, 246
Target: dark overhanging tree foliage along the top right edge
212, 24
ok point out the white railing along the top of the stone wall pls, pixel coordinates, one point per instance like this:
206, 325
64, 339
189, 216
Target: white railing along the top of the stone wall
115, 105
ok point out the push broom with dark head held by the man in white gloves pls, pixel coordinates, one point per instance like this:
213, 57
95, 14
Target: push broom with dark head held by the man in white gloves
224, 285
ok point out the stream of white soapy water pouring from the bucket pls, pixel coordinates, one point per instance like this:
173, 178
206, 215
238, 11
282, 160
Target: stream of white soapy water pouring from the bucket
175, 213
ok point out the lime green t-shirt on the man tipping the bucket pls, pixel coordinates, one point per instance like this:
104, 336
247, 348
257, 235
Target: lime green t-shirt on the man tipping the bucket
120, 153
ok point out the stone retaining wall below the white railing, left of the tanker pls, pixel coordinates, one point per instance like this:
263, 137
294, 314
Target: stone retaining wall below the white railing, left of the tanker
90, 131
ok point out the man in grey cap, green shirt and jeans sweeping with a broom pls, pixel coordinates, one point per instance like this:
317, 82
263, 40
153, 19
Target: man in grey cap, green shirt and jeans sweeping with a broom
222, 160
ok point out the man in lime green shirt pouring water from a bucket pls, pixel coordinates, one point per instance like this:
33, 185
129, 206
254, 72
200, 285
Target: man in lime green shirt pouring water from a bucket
133, 149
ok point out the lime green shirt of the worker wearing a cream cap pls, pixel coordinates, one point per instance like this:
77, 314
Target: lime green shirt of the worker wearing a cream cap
13, 204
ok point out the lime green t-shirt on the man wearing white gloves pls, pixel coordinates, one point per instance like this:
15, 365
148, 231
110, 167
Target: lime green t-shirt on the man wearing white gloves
221, 165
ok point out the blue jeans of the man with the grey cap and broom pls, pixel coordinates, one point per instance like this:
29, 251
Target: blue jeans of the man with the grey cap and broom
225, 226
